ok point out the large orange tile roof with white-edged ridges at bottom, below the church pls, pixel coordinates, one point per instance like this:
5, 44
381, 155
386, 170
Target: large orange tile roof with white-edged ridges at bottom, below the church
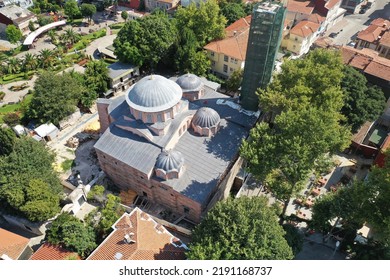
149, 240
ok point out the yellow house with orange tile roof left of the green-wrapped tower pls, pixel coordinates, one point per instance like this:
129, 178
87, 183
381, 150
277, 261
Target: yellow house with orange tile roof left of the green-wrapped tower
228, 54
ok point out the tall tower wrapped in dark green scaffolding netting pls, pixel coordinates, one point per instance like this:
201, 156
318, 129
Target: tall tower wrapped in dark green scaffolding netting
263, 44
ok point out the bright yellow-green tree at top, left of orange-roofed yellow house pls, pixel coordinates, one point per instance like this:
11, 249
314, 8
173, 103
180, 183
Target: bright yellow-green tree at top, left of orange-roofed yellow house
206, 21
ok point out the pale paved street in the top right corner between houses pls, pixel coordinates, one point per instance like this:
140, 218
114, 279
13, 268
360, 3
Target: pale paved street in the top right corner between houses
352, 24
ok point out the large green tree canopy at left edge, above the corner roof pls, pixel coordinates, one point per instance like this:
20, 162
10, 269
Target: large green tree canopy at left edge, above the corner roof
28, 184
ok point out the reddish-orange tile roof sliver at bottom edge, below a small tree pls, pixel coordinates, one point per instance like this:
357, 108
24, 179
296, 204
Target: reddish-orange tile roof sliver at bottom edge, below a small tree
53, 252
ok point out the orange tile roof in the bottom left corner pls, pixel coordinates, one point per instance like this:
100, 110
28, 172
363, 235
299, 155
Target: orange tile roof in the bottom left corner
11, 244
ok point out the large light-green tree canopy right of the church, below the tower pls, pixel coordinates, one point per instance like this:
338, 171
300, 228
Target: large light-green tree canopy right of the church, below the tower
305, 101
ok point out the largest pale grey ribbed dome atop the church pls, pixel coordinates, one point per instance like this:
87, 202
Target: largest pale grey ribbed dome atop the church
154, 93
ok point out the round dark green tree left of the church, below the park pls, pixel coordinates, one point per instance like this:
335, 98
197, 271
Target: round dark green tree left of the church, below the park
54, 99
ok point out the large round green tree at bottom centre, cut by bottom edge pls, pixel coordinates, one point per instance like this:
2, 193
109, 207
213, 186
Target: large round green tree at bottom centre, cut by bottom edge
240, 229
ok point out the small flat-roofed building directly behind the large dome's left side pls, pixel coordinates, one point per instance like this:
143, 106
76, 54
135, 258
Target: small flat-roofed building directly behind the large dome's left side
122, 76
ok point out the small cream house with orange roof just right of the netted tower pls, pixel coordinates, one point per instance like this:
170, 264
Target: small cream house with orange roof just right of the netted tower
301, 37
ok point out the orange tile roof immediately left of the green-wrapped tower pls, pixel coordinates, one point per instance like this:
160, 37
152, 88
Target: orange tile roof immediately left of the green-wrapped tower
236, 41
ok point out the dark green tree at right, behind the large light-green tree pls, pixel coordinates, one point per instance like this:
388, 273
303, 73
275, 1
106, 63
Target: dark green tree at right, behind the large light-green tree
361, 103
